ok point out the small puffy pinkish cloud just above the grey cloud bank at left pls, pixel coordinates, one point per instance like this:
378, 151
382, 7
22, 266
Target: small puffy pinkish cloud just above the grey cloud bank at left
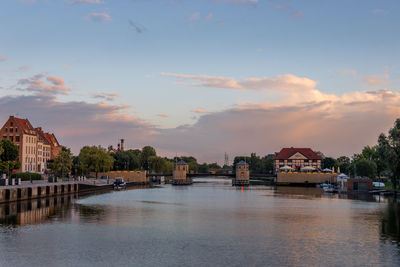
36, 85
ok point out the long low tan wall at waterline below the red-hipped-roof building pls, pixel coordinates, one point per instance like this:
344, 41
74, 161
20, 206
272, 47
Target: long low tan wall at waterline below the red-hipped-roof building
301, 178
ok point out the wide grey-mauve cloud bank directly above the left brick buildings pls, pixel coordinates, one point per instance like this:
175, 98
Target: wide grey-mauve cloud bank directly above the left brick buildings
78, 123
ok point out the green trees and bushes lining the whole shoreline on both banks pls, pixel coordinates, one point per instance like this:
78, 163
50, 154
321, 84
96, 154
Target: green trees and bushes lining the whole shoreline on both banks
379, 162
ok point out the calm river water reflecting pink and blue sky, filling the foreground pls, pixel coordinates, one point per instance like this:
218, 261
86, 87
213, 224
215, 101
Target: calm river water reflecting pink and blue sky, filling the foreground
209, 223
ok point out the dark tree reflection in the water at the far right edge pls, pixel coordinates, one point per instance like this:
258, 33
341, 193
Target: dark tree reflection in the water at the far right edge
390, 222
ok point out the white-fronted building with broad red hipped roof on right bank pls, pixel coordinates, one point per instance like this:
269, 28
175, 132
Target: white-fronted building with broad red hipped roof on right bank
297, 158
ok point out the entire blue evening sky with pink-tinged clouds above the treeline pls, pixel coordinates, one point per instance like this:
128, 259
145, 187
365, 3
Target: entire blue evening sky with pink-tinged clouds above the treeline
203, 77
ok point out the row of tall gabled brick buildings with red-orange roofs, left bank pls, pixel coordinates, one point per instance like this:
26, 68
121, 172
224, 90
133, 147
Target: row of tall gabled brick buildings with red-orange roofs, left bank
36, 147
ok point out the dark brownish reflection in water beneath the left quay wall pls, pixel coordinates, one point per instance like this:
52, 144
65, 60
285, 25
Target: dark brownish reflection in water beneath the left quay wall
32, 212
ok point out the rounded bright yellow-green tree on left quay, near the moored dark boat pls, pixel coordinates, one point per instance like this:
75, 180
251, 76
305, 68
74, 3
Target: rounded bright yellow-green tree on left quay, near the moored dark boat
97, 159
